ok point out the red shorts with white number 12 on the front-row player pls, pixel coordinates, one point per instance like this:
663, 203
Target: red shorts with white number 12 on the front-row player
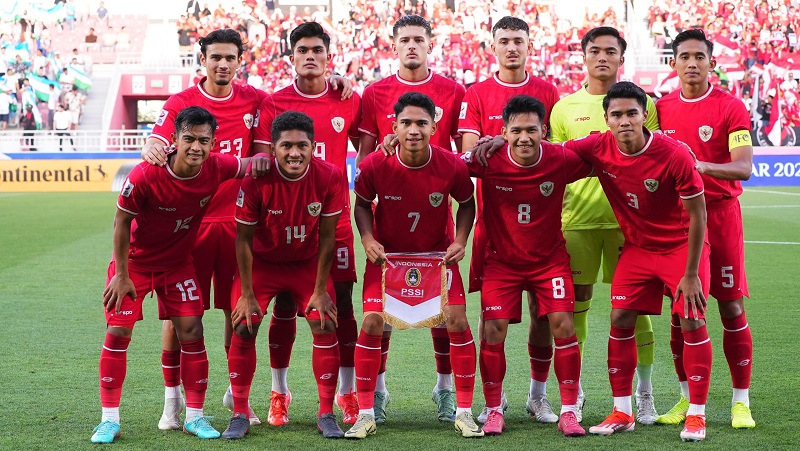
176, 289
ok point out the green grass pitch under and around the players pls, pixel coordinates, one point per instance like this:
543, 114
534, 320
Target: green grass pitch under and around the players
54, 250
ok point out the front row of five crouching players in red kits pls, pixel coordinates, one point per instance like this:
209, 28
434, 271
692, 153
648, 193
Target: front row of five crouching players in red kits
300, 199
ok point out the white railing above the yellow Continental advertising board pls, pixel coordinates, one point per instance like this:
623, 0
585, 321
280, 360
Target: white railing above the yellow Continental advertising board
13, 141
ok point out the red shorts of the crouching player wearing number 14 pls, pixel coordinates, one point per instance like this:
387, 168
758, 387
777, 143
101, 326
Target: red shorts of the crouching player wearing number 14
270, 278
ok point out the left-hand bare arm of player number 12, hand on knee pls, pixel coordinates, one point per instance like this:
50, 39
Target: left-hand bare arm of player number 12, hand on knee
121, 284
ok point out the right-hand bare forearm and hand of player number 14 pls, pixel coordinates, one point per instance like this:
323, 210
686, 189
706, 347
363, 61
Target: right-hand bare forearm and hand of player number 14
321, 301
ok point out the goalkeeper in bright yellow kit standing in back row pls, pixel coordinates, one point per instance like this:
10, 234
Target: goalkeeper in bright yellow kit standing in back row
590, 228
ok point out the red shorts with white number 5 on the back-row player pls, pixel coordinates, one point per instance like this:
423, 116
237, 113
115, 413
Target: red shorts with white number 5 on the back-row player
726, 237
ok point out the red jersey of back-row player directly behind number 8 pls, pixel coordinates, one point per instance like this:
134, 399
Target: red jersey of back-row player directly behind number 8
482, 110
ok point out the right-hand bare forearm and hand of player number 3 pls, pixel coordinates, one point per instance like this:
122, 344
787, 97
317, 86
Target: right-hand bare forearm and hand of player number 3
690, 285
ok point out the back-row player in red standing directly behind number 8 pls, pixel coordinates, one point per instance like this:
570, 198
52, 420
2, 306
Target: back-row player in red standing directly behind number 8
481, 115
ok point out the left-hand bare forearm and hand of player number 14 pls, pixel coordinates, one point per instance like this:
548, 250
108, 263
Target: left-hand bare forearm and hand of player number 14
247, 305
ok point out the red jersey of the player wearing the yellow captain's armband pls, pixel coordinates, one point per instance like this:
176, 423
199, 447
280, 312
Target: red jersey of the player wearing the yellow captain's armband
705, 124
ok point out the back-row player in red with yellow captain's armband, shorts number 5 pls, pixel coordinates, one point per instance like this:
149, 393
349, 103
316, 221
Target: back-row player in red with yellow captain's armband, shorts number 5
716, 126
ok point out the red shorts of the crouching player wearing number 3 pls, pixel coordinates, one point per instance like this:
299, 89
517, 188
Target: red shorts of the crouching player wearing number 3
643, 277
